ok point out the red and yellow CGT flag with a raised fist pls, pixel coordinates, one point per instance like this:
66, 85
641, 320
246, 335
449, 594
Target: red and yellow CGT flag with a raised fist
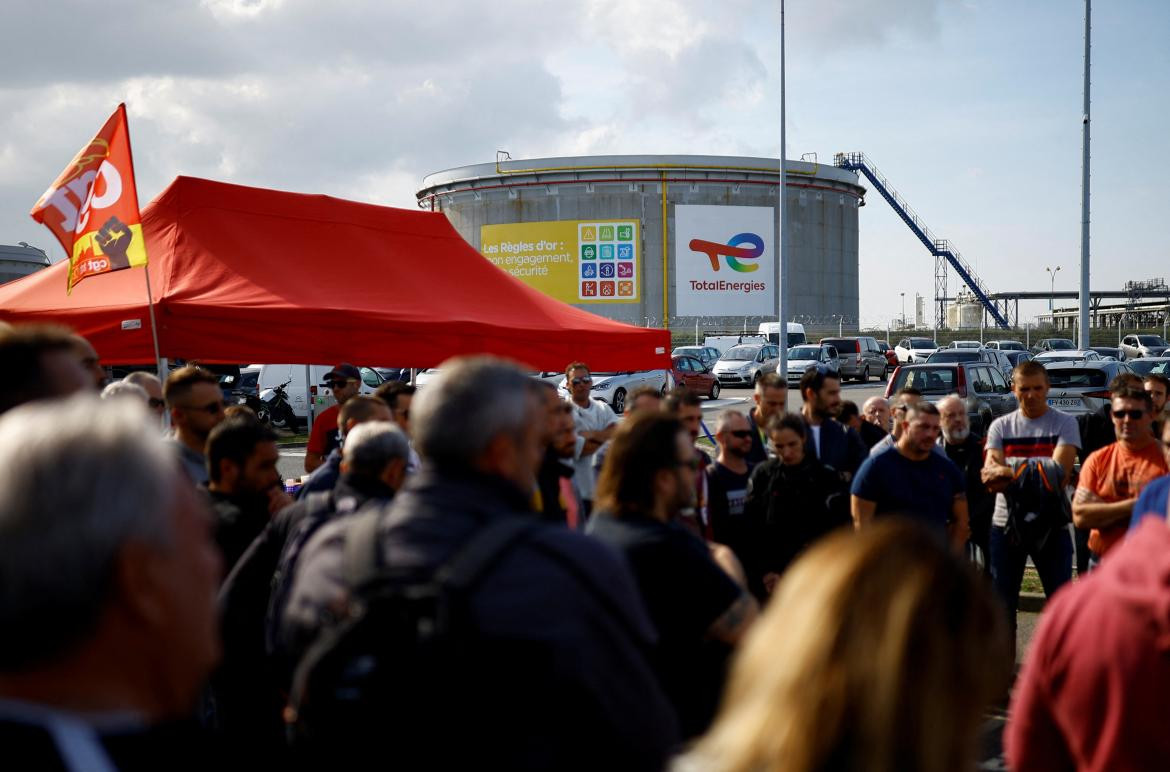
93, 206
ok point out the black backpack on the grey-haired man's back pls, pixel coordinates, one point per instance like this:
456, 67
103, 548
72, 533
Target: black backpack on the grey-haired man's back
389, 665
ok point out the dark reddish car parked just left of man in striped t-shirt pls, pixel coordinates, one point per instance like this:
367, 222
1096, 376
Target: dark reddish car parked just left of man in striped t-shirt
982, 388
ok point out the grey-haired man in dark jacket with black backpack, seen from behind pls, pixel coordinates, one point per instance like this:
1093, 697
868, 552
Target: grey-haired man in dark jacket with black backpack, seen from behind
458, 631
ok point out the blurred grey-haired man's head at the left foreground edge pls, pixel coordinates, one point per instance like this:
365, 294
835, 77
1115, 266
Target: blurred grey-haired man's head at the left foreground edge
107, 568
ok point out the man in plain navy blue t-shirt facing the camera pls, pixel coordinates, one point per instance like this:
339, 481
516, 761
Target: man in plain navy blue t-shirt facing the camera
913, 481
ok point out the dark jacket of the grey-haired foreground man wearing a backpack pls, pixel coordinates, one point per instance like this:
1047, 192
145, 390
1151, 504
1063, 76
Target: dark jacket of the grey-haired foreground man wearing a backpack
559, 678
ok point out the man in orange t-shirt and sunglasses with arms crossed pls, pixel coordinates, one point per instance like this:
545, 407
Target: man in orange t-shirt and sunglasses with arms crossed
1113, 477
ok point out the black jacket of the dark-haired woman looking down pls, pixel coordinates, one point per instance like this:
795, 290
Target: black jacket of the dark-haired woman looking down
790, 508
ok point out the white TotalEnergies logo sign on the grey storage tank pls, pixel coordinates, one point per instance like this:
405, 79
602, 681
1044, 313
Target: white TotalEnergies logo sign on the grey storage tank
725, 263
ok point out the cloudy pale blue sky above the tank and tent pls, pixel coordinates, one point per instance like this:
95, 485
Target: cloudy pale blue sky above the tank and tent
972, 108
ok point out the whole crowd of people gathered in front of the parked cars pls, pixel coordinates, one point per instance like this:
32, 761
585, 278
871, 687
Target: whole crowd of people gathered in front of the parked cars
486, 573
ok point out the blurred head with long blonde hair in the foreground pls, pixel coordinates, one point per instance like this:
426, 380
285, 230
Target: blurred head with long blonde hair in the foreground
879, 653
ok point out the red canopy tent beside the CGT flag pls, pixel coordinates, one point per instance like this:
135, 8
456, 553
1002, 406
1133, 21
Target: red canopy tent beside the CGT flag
252, 275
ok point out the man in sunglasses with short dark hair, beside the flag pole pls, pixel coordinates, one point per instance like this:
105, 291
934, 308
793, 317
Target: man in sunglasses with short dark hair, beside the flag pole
196, 403
